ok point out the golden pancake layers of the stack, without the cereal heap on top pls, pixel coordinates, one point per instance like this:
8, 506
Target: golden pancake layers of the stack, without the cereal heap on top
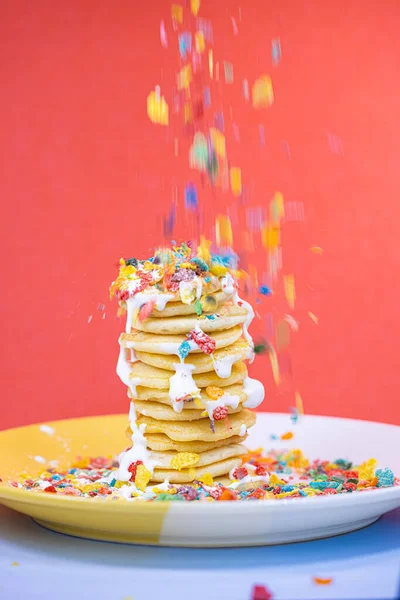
171, 425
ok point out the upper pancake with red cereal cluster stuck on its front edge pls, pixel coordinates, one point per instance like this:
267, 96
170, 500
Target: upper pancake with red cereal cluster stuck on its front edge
169, 344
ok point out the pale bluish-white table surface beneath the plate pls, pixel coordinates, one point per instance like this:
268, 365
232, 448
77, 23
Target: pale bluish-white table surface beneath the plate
363, 564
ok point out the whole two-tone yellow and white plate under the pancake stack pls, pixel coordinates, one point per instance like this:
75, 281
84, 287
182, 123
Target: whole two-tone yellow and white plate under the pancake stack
200, 524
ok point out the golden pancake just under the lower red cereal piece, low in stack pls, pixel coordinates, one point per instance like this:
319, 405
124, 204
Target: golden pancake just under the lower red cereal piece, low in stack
200, 430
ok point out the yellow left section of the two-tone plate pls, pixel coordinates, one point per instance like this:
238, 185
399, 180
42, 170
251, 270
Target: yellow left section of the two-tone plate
103, 519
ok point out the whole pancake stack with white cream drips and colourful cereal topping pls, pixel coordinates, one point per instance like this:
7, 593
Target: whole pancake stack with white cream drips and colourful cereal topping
182, 358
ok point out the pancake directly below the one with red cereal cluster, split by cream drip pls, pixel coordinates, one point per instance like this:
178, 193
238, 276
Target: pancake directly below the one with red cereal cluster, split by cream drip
203, 363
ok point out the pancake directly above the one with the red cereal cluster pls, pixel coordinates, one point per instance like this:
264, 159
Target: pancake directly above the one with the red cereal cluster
228, 317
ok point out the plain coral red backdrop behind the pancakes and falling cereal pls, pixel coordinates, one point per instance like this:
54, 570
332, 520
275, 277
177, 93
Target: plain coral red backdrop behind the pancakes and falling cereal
86, 178
